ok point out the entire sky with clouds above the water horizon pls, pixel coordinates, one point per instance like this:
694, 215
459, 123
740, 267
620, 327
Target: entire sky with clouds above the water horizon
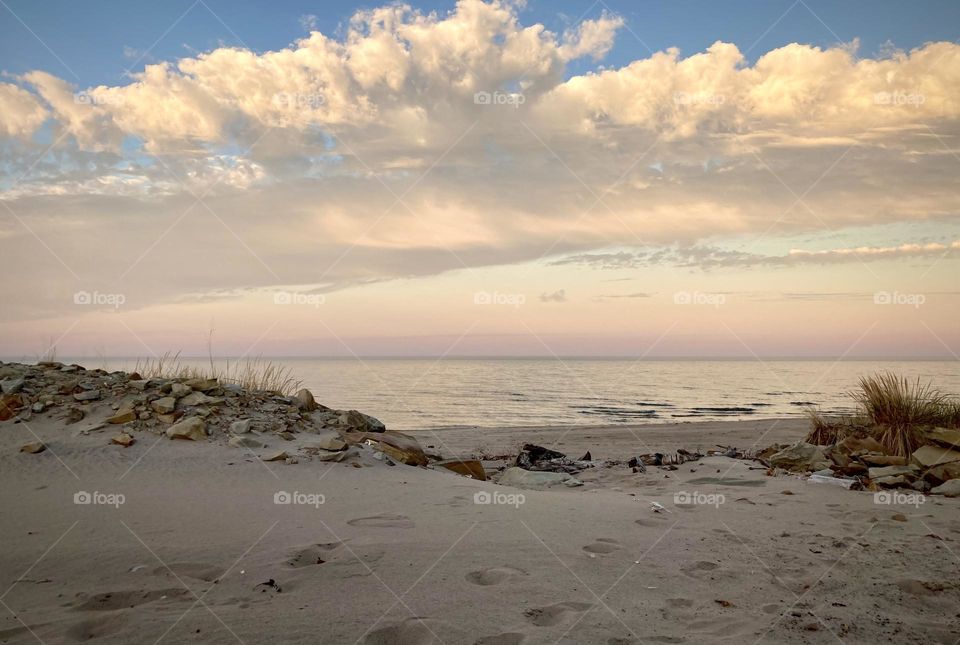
500, 178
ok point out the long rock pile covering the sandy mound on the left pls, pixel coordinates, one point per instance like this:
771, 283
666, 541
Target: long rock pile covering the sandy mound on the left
205, 410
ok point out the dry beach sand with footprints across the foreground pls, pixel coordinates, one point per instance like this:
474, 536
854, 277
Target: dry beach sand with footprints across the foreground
404, 555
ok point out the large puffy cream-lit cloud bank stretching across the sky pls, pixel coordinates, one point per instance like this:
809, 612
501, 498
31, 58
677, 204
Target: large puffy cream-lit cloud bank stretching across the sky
384, 164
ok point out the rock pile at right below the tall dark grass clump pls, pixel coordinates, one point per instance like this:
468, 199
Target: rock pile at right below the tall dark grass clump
933, 468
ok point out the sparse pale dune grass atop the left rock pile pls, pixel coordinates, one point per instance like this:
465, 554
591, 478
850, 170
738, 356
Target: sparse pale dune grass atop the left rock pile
252, 373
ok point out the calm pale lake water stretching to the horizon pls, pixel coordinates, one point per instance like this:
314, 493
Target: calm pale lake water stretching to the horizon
426, 393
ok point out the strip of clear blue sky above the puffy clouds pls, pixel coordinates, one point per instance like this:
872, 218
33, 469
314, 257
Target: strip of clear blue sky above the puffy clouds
99, 42
